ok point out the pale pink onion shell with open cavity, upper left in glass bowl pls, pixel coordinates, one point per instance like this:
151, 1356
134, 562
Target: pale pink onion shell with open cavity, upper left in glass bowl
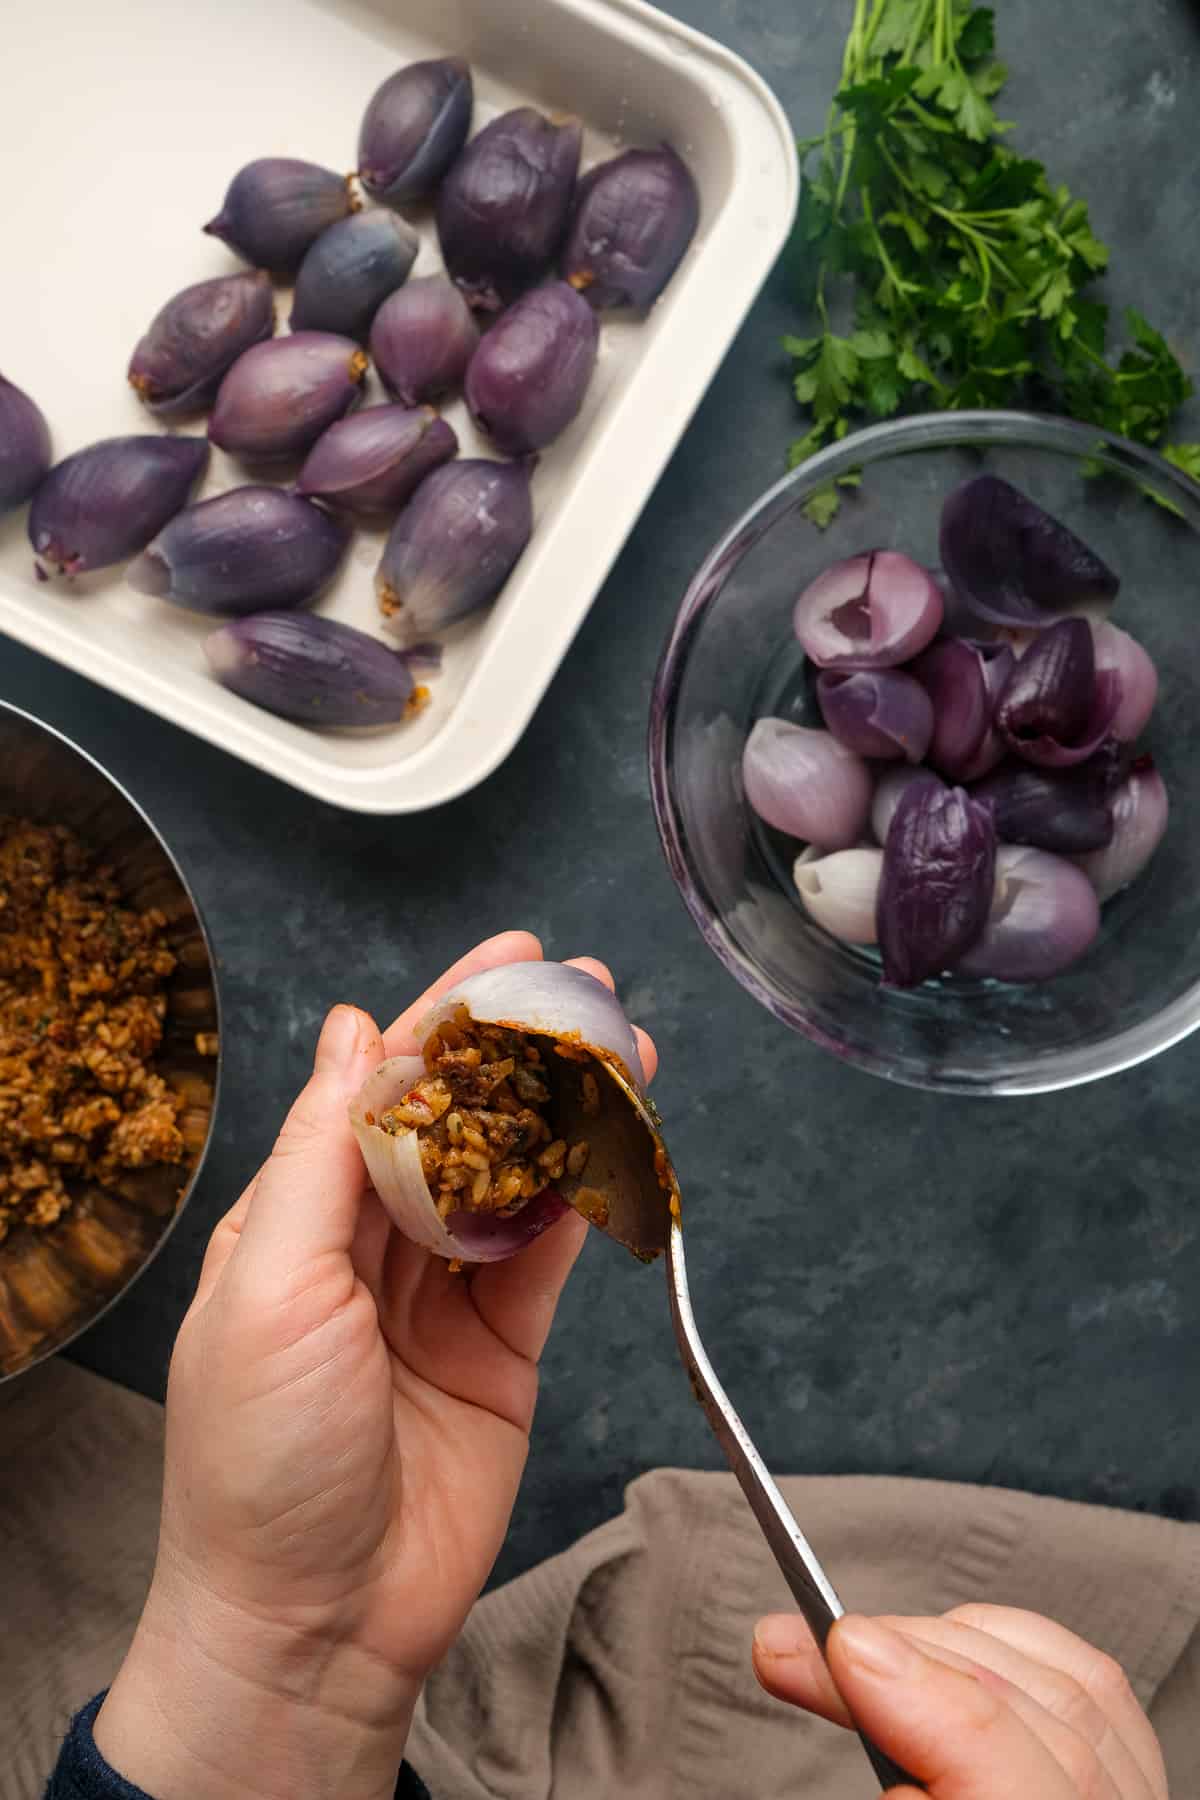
868, 613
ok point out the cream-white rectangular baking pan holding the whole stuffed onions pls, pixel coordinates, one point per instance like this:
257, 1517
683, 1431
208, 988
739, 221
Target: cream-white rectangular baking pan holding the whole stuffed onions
120, 132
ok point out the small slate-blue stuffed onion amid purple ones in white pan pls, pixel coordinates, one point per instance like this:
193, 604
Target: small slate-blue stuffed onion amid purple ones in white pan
352, 271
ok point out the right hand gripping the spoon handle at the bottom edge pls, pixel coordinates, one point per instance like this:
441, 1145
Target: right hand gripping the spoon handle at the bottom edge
985, 1704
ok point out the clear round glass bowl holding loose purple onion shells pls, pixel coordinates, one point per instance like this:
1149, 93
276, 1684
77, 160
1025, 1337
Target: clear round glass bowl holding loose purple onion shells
731, 658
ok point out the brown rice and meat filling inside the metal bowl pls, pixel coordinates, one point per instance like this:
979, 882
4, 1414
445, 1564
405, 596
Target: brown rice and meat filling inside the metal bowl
82, 1014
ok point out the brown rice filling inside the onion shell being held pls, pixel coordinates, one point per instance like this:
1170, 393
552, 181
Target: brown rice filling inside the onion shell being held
481, 1117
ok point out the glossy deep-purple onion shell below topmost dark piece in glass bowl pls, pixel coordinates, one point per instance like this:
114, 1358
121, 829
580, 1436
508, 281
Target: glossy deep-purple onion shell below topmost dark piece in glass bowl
1055, 710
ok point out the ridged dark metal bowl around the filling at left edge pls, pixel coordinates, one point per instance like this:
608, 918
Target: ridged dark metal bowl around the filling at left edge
57, 1282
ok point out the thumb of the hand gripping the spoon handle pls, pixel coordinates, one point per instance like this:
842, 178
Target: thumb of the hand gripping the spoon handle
949, 1729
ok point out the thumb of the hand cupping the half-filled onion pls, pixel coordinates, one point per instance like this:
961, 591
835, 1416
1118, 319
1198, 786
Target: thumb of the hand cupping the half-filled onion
310, 1191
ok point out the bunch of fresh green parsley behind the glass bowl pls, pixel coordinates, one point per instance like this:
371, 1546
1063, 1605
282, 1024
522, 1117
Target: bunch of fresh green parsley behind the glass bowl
969, 271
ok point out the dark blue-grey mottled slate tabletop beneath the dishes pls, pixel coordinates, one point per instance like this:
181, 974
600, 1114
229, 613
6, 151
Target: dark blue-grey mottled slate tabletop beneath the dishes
893, 1282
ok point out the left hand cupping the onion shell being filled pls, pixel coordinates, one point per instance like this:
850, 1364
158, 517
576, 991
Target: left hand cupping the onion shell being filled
346, 1430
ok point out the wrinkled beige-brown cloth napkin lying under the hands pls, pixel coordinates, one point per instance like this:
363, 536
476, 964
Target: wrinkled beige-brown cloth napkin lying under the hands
620, 1668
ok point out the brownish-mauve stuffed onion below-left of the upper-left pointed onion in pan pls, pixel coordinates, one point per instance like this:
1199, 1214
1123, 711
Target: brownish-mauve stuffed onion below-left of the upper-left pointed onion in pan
197, 337
